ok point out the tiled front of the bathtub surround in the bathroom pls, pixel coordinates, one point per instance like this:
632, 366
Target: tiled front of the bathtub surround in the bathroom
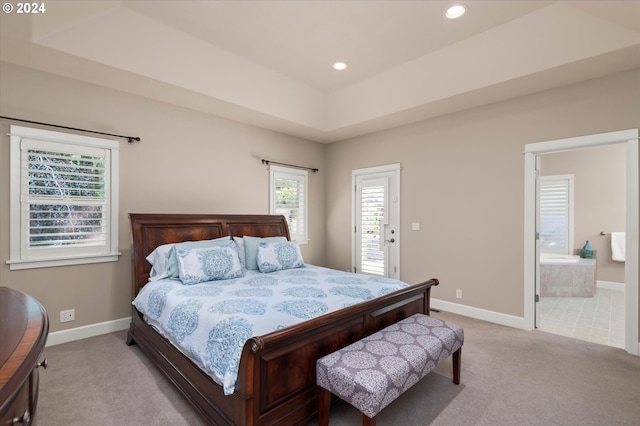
568, 280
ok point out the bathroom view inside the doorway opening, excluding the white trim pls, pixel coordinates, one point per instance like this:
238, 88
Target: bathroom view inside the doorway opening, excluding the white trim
581, 202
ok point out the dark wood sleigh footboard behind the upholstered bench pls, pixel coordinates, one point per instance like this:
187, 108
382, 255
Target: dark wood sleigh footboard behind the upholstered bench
284, 363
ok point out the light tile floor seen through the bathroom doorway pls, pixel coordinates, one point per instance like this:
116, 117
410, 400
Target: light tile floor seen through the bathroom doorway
598, 319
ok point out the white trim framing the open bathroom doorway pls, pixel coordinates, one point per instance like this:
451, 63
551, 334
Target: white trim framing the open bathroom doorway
630, 139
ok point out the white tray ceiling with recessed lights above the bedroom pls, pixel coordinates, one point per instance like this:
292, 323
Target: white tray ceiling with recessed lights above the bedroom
268, 63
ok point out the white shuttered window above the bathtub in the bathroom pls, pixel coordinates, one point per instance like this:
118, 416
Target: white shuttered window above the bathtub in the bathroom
556, 214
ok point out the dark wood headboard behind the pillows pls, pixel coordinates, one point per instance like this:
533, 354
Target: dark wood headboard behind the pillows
150, 230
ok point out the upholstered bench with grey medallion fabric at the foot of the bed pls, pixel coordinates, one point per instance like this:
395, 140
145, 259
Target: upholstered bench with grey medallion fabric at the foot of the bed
372, 372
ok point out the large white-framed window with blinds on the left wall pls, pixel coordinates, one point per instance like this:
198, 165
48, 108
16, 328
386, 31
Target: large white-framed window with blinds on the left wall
63, 199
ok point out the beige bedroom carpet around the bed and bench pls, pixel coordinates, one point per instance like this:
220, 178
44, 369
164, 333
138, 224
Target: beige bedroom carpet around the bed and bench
509, 377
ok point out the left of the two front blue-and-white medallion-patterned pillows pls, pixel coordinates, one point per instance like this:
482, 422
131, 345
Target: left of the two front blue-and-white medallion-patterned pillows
197, 265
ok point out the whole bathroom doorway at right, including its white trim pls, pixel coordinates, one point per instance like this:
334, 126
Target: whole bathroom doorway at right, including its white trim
590, 299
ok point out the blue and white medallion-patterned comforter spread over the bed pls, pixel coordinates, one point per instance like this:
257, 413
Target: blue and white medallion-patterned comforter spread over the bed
211, 321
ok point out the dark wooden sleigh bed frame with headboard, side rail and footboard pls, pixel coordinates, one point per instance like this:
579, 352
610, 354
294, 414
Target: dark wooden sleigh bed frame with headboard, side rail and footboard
276, 380
